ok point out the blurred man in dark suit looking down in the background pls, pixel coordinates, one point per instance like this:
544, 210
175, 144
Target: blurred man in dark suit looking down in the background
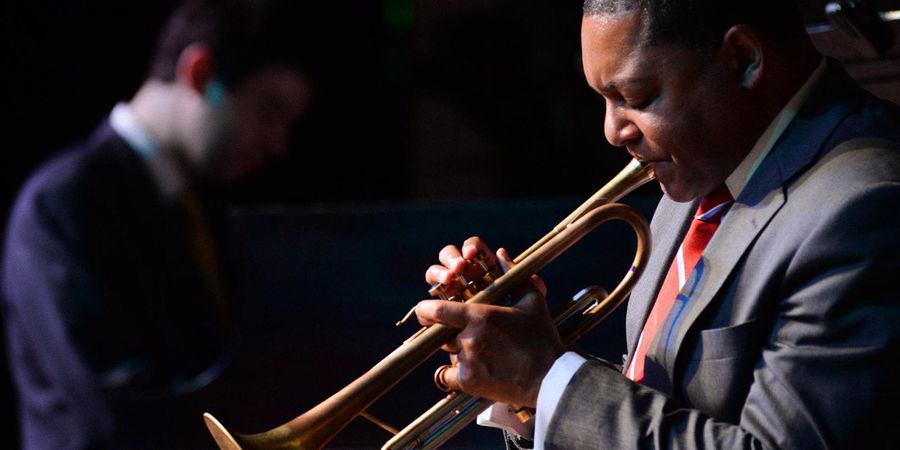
116, 304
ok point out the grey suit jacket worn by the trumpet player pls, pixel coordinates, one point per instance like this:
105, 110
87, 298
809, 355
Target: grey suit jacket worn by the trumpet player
789, 336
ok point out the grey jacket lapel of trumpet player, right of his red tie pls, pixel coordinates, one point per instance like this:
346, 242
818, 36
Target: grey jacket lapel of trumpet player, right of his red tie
765, 194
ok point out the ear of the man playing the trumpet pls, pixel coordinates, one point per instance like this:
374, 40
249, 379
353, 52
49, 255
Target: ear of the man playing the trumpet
742, 53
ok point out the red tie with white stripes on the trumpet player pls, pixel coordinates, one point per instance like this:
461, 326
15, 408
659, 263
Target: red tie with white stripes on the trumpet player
705, 222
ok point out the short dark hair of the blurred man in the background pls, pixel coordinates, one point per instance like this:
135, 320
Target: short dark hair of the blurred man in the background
242, 36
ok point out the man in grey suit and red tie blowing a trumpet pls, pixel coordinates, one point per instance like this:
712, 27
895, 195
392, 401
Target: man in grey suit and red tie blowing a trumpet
766, 317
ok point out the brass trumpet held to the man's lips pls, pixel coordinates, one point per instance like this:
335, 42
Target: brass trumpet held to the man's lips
315, 428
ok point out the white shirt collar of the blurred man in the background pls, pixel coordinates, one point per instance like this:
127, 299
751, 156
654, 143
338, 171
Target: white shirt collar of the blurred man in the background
165, 170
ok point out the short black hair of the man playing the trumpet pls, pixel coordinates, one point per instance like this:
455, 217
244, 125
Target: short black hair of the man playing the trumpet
702, 24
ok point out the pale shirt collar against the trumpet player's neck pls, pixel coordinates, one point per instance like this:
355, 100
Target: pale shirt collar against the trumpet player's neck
745, 170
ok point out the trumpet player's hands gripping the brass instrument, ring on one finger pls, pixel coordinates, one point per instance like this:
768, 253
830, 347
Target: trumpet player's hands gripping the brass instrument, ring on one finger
501, 353
